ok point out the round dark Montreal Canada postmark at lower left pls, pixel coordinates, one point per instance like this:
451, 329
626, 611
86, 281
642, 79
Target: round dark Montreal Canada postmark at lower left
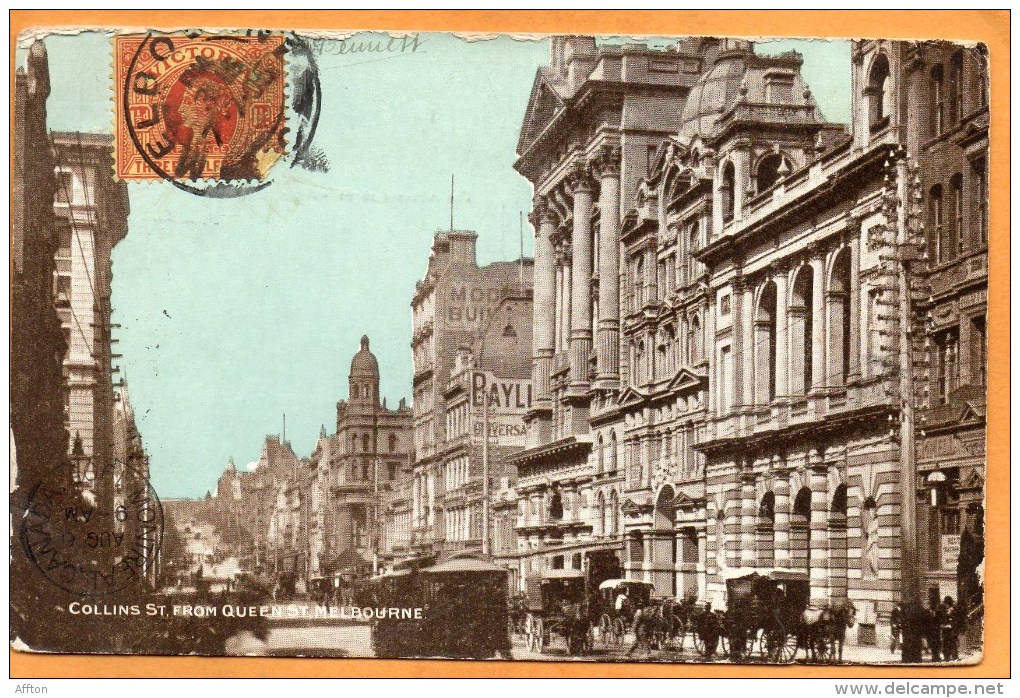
94, 536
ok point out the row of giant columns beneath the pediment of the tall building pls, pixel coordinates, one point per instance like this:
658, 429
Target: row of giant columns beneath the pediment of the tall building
564, 291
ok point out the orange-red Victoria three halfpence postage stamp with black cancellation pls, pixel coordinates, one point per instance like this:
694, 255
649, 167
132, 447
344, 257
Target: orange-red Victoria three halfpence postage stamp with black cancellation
198, 107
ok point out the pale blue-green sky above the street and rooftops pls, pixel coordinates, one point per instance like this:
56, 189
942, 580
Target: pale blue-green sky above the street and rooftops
236, 312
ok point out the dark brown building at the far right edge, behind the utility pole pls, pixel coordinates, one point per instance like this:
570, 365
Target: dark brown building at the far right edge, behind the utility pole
949, 85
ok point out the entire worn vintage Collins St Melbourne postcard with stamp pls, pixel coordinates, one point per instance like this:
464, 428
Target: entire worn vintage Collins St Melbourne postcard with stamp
545, 347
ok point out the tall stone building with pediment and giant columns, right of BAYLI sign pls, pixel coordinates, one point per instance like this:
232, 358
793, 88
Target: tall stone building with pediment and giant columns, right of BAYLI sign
595, 122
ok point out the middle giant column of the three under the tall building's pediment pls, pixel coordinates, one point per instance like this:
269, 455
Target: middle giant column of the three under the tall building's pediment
581, 274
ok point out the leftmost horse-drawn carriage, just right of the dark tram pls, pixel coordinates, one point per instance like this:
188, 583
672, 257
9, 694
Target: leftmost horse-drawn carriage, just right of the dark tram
558, 606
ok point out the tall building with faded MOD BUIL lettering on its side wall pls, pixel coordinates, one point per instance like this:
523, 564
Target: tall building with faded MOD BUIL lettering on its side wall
454, 306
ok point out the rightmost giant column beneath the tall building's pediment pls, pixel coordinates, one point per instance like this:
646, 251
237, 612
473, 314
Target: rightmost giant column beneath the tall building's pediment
607, 163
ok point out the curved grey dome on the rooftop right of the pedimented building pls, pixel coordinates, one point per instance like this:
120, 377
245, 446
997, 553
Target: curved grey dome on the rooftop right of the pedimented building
716, 91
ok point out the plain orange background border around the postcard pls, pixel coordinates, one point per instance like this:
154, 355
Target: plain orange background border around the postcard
991, 27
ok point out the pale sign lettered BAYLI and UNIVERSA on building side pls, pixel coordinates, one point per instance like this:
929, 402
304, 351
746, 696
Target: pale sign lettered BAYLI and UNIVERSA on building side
508, 401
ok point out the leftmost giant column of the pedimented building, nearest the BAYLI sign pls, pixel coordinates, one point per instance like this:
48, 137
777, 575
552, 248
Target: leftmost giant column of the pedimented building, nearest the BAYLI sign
545, 301
